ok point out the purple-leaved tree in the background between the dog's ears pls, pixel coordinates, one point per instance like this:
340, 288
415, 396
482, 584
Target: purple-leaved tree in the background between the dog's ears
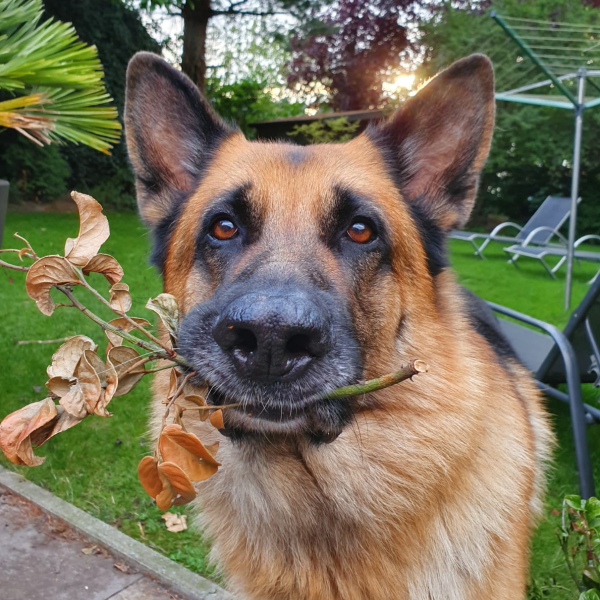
359, 43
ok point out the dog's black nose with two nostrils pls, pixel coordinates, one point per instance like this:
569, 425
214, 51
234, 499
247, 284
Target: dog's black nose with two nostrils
273, 335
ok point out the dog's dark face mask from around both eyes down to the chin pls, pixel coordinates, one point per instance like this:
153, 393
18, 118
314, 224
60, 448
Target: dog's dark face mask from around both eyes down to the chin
278, 331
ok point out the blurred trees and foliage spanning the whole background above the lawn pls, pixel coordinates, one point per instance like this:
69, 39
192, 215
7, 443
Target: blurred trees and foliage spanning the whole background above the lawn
267, 60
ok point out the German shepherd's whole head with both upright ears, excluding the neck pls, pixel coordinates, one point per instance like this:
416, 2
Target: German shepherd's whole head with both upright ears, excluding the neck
297, 268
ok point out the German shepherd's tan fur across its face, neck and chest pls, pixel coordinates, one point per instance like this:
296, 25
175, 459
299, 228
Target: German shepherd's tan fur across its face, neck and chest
429, 493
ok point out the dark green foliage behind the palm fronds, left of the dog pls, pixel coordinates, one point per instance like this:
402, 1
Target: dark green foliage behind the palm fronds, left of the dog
117, 33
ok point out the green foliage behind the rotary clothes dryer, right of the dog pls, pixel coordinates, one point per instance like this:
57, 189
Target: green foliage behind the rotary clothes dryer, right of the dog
533, 146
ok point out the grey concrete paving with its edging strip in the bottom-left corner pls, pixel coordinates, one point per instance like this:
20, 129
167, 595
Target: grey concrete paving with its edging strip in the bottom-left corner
161, 576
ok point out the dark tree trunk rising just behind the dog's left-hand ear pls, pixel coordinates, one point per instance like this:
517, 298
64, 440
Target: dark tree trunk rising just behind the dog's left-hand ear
195, 21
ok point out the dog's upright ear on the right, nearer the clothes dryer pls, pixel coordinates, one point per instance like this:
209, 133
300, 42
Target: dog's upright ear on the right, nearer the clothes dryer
438, 142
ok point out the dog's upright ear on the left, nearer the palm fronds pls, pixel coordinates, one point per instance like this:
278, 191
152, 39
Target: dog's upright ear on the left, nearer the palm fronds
171, 133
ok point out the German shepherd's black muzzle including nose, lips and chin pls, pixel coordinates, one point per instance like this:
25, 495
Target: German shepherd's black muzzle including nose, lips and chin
277, 347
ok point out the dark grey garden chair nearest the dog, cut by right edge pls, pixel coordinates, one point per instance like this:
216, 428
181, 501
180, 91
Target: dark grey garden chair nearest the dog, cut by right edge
570, 356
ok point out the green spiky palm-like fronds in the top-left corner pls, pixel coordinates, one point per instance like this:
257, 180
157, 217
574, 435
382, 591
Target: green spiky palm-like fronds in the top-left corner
55, 80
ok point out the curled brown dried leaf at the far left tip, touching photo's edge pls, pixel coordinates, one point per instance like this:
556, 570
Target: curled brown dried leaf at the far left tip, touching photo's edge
17, 428
